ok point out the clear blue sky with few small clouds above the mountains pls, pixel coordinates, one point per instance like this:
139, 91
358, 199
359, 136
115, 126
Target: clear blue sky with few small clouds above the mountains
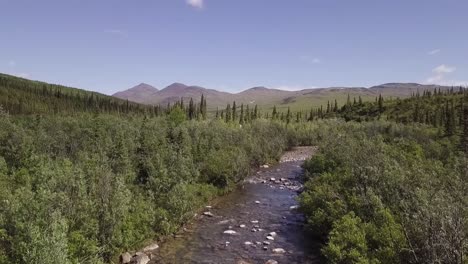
232, 45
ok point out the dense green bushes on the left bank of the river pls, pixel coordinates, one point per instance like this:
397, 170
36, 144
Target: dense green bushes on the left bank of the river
80, 189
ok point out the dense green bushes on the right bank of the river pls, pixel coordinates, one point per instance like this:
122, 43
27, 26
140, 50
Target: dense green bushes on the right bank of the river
386, 193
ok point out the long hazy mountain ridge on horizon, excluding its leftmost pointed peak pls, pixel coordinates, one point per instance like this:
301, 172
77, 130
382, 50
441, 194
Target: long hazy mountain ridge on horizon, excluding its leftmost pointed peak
266, 98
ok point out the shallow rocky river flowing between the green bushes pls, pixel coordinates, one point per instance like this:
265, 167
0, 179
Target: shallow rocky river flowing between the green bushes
260, 206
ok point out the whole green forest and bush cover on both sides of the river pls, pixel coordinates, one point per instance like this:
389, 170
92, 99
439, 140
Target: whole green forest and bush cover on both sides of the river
84, 176
